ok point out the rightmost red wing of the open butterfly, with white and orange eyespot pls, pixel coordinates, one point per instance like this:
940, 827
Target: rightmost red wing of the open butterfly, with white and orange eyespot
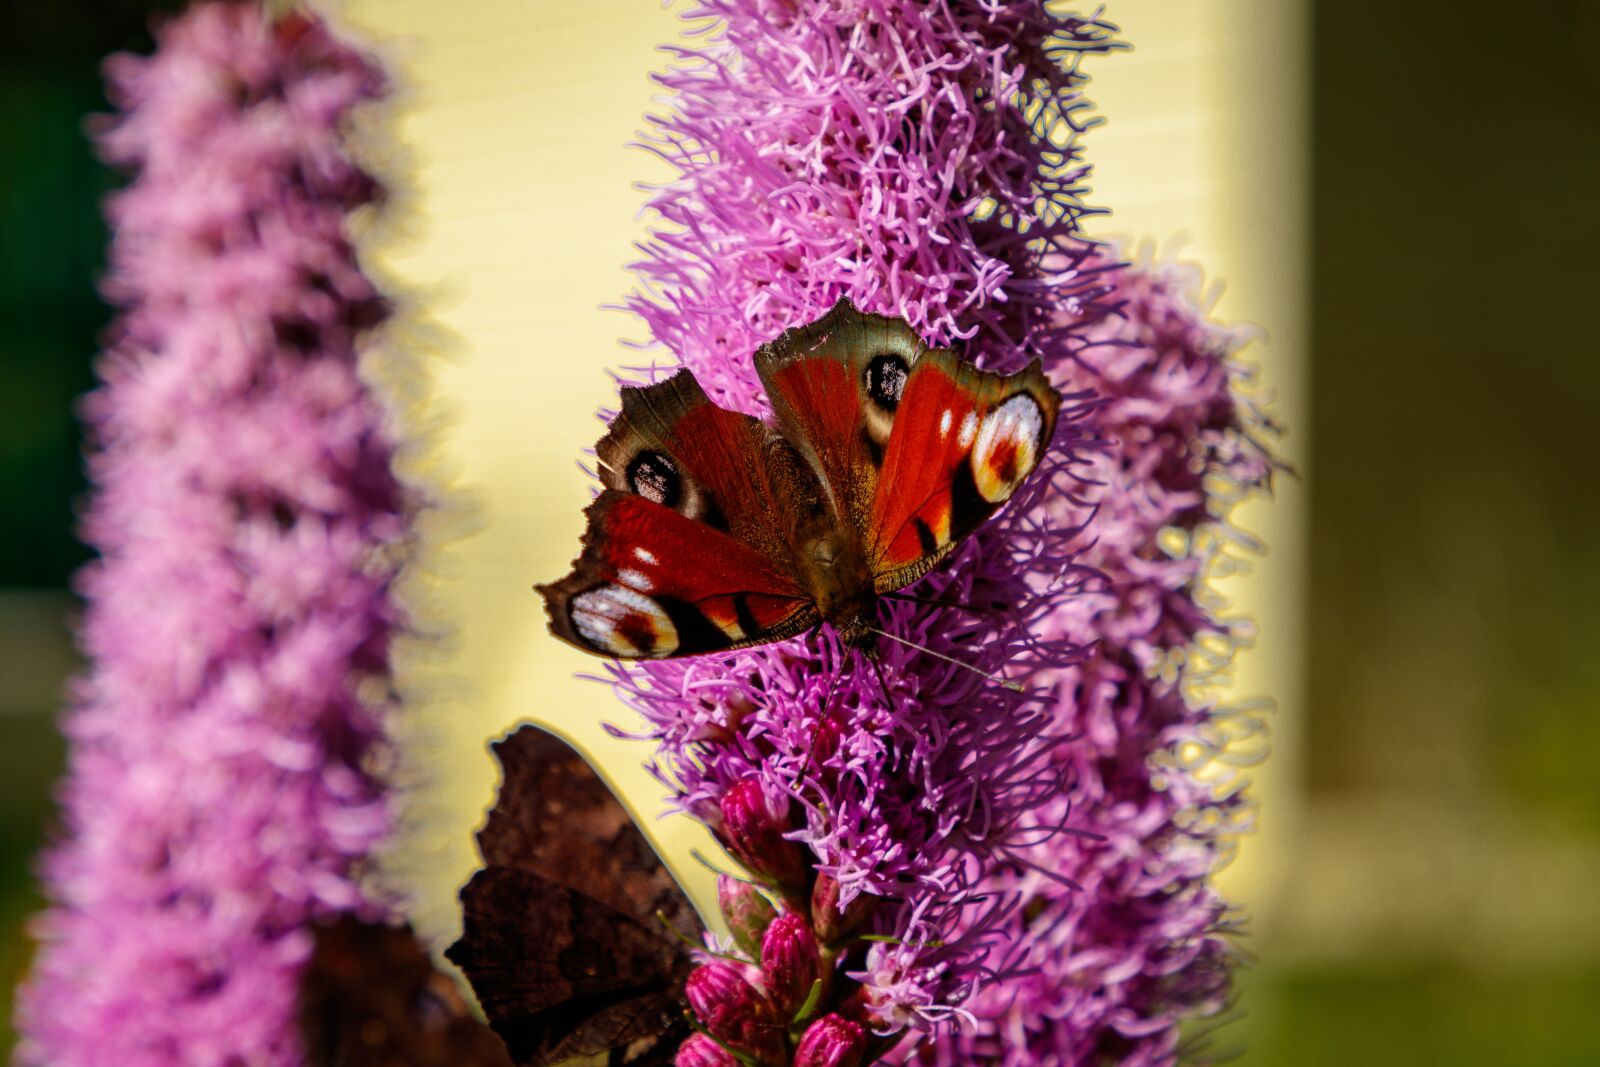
964, 441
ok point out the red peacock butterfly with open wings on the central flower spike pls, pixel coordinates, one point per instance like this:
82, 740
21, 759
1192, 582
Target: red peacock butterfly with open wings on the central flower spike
718, 530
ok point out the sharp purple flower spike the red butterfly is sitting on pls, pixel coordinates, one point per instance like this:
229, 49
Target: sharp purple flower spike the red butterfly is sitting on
921, 159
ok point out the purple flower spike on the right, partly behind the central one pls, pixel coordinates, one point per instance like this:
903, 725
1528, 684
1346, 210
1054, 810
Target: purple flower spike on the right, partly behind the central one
1110, 970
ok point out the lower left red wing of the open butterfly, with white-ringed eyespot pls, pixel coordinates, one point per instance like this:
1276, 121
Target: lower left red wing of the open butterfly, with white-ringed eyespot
654, 583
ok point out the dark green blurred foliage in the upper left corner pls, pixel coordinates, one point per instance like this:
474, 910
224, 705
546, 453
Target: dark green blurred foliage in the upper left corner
52, 241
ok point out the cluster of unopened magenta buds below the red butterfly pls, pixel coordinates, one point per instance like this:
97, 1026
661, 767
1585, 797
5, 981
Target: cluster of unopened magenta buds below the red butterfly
788, 1001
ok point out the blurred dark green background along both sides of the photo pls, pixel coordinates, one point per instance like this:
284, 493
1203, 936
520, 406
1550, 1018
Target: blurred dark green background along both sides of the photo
1446, 909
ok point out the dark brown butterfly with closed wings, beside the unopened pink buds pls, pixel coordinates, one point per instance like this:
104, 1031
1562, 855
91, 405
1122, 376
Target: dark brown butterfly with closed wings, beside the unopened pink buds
561, 932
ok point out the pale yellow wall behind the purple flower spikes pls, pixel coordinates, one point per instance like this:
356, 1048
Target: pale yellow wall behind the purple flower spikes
519, 214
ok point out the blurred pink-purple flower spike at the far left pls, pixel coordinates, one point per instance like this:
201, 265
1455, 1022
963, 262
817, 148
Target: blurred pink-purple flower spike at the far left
249, 524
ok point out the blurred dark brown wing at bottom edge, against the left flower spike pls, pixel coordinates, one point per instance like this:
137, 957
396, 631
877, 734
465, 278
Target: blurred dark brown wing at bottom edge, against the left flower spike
372, 997
